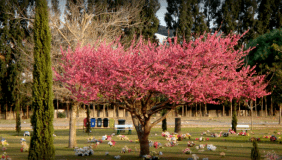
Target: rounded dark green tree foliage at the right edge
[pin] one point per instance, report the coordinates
(267, 57)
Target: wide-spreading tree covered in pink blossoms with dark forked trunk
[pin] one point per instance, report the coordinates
(204, 70)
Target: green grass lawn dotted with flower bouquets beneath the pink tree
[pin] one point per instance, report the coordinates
(235, 147)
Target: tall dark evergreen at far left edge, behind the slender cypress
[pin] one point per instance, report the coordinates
(12, 35)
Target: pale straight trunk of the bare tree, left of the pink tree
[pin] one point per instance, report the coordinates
(72, 125)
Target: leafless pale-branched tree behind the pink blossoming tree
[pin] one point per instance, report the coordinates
(85, 27)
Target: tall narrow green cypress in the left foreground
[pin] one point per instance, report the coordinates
(41, 145)
